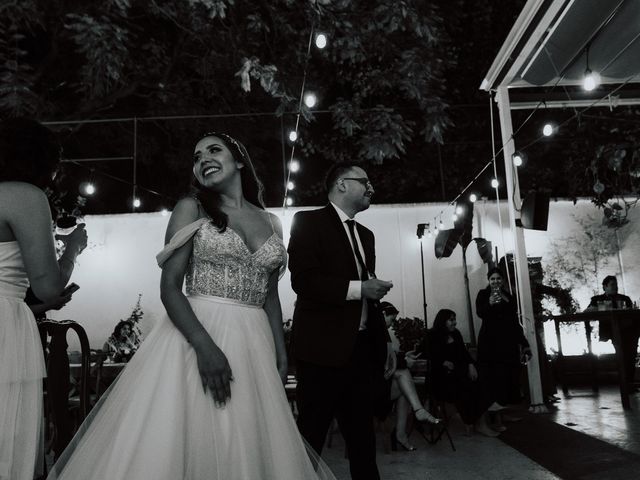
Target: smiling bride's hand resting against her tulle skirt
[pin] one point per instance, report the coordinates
(215, 372)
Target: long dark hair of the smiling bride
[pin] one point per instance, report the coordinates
(252, 187)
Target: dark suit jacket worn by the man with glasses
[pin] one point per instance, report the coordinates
(322, 263)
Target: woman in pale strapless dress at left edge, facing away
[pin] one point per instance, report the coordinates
(29, 156)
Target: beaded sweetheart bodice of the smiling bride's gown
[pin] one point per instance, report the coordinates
(223, 266)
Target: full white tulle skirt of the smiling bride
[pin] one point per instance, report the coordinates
(156, 422)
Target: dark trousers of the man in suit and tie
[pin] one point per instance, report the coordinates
(345, 393)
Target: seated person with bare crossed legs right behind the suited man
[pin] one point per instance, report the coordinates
(402, 388)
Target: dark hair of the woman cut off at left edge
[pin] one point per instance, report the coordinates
(29, 152)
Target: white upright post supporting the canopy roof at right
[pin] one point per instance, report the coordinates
(520, 253)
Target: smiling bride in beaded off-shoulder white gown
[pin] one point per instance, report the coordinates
(203, 397)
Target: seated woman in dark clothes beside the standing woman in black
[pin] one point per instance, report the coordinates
(454, 377)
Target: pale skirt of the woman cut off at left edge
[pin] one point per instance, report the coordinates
(21, 372)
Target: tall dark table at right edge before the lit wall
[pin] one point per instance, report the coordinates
(616, 317)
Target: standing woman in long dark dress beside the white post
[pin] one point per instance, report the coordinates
(502, 346)
